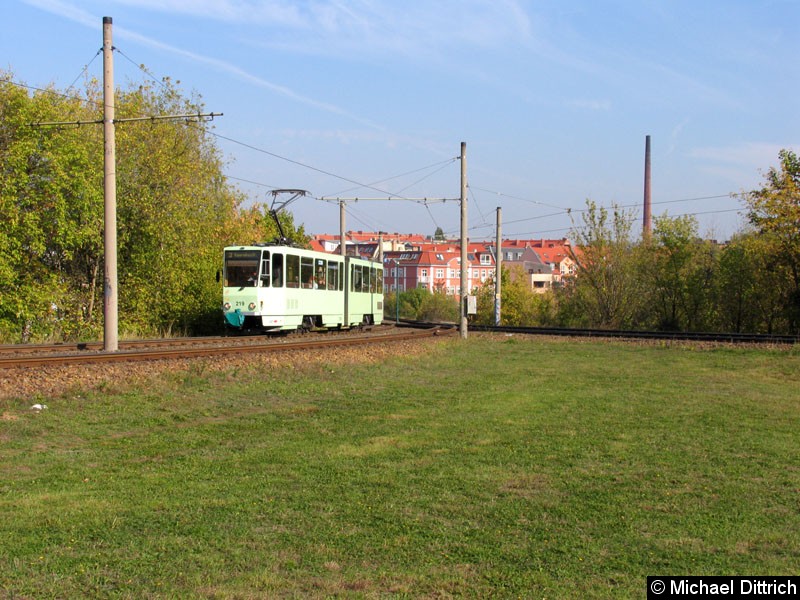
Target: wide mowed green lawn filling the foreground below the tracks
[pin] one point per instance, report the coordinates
(496, 467)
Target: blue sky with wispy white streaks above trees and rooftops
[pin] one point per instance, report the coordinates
(554, 99)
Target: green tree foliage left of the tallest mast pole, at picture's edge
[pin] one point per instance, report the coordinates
(49, 197)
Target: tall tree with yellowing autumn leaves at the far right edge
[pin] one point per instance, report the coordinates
(774, 211)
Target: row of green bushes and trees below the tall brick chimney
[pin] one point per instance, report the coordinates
(673, 281)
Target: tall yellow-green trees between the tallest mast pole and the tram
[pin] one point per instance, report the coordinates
(173, 204)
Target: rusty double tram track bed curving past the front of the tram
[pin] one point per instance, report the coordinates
(22, 355)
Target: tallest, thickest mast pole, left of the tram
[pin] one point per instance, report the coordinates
(110, 338)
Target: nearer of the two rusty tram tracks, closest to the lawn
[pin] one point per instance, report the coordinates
(195, 351)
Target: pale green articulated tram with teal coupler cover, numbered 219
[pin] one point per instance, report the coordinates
(273, 288)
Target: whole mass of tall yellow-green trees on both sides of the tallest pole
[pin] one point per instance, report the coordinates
(175, 213)
